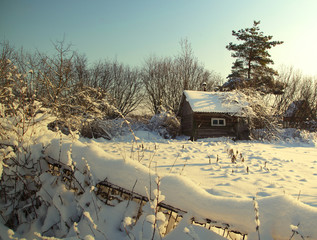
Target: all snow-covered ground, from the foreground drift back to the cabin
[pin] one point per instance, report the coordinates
(210, 178)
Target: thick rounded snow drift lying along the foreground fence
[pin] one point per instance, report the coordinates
(277, 214)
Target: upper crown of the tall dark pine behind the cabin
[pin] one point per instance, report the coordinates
(252, 56)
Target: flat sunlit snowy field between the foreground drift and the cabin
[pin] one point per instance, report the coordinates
(259, 169)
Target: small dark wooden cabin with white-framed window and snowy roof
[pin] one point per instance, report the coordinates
(212, 114)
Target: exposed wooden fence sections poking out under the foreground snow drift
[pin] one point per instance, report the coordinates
(111, 194)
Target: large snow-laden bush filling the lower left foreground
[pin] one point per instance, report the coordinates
(40, 195)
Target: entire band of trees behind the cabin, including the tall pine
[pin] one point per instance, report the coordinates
(67, 82)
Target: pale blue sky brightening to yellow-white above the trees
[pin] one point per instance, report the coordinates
(131, 30)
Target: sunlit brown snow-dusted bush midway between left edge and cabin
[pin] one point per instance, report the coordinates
(83, 111)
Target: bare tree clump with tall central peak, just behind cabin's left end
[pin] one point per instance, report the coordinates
(165, 79)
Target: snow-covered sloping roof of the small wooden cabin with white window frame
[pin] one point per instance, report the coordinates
(215, 102)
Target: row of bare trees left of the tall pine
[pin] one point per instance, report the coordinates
(59, 77)
